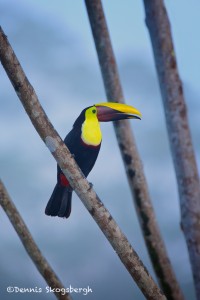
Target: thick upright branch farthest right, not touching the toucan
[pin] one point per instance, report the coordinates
(178, 129)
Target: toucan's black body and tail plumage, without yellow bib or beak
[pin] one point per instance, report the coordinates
(85, 156)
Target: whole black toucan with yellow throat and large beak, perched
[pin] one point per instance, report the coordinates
(84, 142)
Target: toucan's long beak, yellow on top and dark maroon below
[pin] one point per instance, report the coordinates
(109, 111)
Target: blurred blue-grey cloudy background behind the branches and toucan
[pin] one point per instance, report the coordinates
(53, 42)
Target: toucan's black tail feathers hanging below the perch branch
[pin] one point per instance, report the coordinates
(60, 202)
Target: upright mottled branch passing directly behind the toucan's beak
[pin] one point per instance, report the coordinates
(132, 163)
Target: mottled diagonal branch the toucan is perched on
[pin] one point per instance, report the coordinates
(81, 186)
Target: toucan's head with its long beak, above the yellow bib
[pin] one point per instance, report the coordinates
(108, 111)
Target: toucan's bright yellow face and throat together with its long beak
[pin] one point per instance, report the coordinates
(104, 112)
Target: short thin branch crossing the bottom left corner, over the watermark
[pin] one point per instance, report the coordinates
(29, 244)
